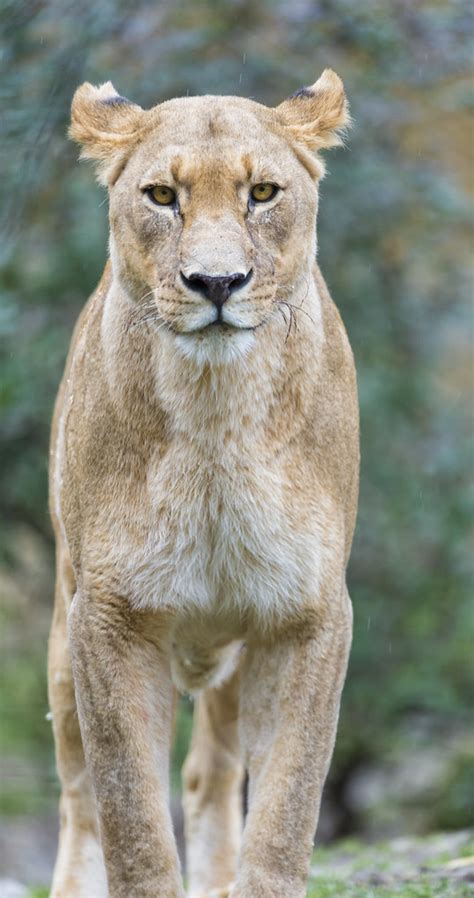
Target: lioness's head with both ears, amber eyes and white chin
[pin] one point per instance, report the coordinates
(213, 203)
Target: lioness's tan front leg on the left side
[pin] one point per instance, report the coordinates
(125, 704)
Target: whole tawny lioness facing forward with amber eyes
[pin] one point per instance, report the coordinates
(204, 476)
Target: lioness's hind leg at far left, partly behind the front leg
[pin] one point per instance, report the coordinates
(79, 871)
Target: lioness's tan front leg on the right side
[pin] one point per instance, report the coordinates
(290, 700)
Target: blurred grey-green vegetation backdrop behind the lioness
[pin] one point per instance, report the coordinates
(394, 232)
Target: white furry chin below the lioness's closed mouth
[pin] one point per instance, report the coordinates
(216, 345)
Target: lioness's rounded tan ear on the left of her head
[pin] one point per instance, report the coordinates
(107, 126)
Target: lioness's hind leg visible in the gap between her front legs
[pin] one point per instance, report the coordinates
(212, 779)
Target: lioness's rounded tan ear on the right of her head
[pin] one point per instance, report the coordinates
(315, 116)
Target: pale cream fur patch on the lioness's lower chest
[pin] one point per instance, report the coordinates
(219, 533)
